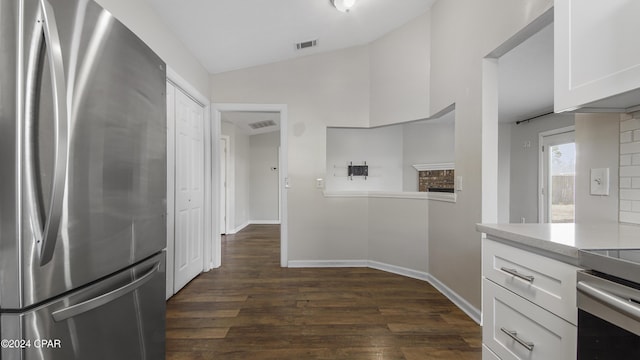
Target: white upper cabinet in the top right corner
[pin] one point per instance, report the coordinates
(597, 57)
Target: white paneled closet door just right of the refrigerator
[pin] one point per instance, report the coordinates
(189, 212)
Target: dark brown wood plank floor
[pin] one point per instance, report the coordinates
(251, 308)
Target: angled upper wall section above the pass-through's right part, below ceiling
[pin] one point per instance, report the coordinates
(399, 64)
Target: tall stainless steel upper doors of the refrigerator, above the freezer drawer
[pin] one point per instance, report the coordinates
(92, 152)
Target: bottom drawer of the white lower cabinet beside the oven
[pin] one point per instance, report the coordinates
(515, 328)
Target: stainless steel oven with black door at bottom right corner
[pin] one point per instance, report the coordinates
(608, 296)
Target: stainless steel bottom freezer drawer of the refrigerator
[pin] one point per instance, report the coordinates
(121, 317)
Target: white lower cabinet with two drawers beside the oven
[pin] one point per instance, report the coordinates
(527, 299)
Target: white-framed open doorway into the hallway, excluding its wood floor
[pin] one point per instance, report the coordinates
(251, 140)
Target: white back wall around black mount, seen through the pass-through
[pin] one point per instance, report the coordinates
(381, 148)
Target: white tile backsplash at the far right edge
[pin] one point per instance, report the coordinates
(630, 169)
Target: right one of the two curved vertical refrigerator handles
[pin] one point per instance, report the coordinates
(59, 92)
